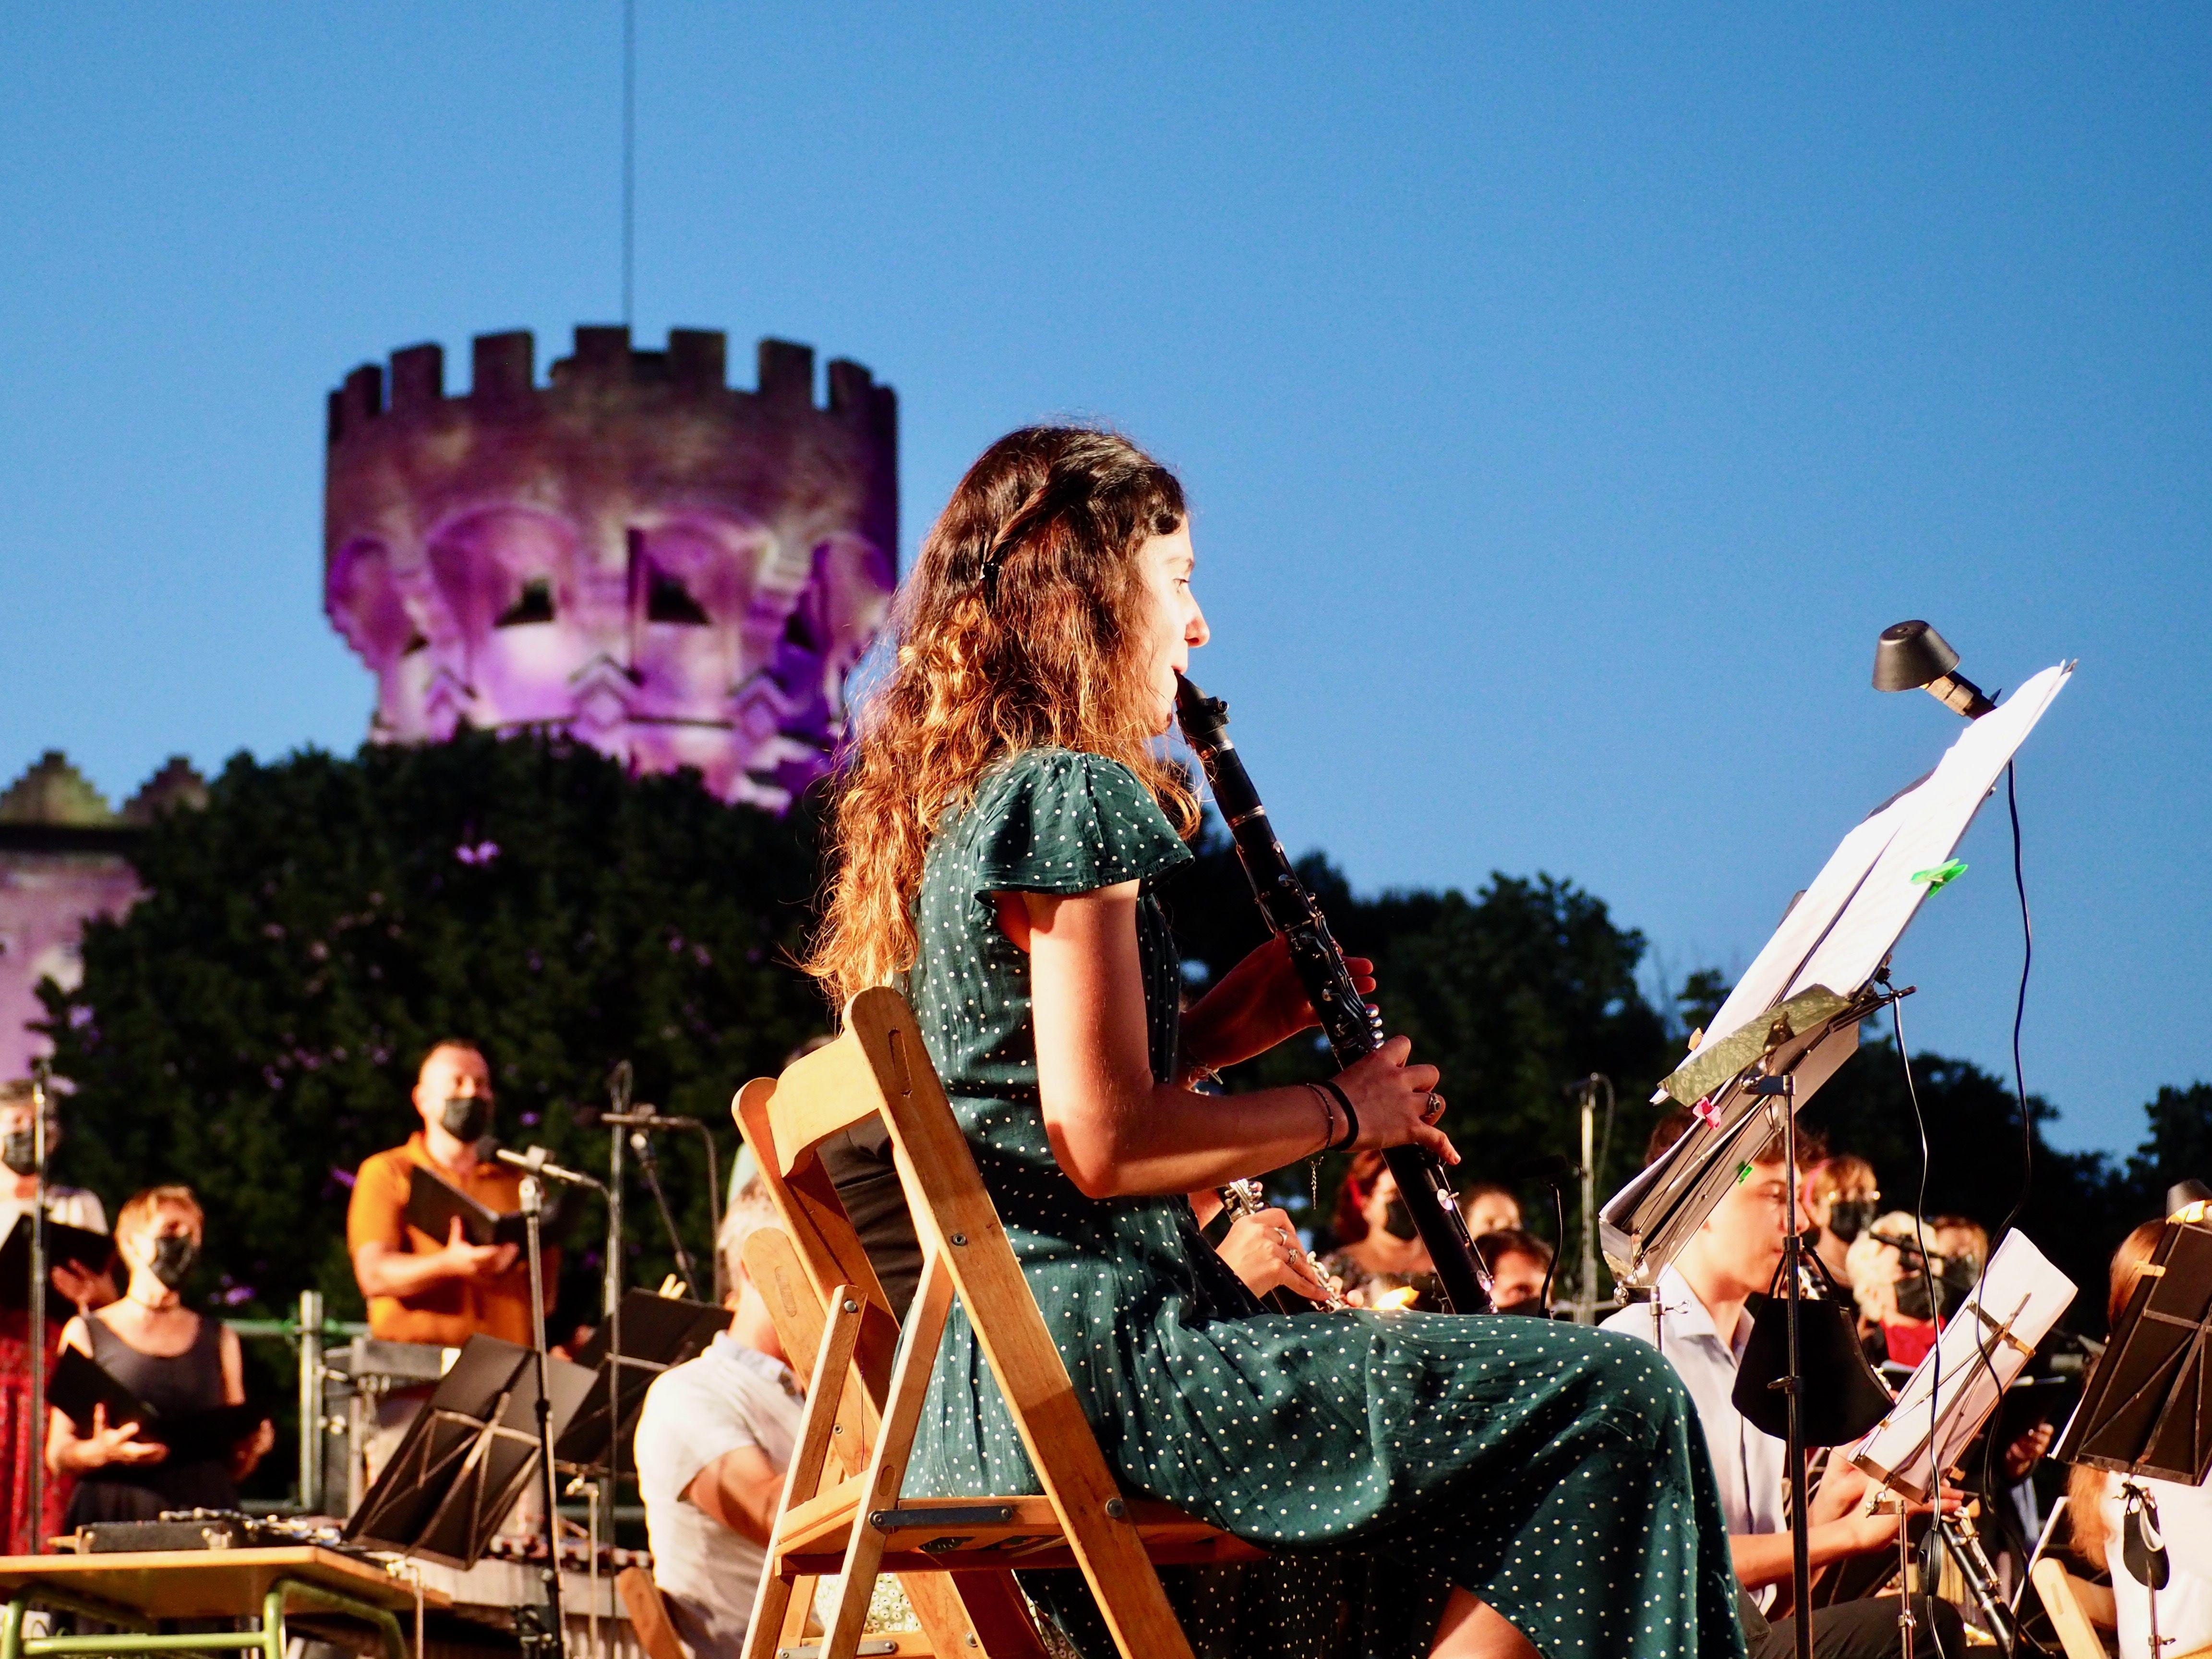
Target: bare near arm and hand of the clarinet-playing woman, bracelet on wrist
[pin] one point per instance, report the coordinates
(1114, 1127)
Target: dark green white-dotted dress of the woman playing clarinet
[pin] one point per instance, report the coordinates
(1384, 1459)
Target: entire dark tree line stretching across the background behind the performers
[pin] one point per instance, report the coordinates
(255, 1021)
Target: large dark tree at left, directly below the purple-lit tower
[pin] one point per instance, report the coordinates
(253, 1025)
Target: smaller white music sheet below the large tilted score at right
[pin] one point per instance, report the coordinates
(2023, 1295)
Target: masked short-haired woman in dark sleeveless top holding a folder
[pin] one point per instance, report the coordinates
(169, 1357)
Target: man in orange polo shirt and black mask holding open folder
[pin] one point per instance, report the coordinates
(421, 1288)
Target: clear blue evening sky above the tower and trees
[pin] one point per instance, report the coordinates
(1567, 395)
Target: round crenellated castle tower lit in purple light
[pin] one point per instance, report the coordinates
(636, 554)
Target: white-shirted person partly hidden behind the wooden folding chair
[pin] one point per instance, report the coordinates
(713, 1441)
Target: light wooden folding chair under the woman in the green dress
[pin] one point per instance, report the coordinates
(866, 1395)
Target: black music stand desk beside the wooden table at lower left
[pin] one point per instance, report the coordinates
(468, 1457)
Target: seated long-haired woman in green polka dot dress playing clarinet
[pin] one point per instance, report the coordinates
(1434, 1483)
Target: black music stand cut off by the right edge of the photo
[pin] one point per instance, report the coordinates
(2147, 1410)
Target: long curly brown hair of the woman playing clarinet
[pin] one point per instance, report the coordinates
(1016, 632)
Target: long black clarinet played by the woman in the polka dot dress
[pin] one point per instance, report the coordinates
(1353, 1027)
